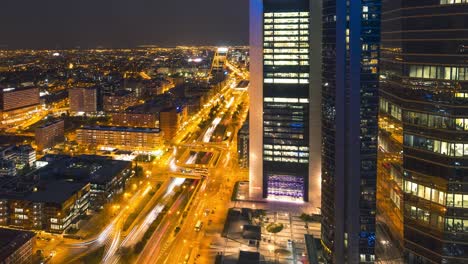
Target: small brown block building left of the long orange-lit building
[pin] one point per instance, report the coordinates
(50, 134)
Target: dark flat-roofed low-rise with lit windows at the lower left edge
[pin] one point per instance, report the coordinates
(50, 205)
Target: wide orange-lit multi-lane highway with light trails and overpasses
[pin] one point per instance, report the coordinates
(208, 141)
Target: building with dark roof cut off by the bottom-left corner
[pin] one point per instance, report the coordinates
(16, 247)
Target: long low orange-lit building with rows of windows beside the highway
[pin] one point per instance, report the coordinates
(125, 138)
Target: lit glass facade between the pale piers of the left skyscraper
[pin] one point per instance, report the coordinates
(285, 100)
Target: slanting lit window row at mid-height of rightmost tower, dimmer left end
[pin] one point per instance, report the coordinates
(437, 146)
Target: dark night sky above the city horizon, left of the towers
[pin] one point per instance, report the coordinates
(65, 24)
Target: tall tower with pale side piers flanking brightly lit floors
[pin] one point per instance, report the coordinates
(284, 102)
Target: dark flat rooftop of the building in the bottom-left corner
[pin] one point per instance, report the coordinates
(11, 240)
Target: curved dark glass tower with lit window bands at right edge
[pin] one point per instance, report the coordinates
(424, 94)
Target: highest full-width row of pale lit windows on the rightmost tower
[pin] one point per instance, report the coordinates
(438, 72)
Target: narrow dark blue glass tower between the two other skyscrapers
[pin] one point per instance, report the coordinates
(350, 53)
